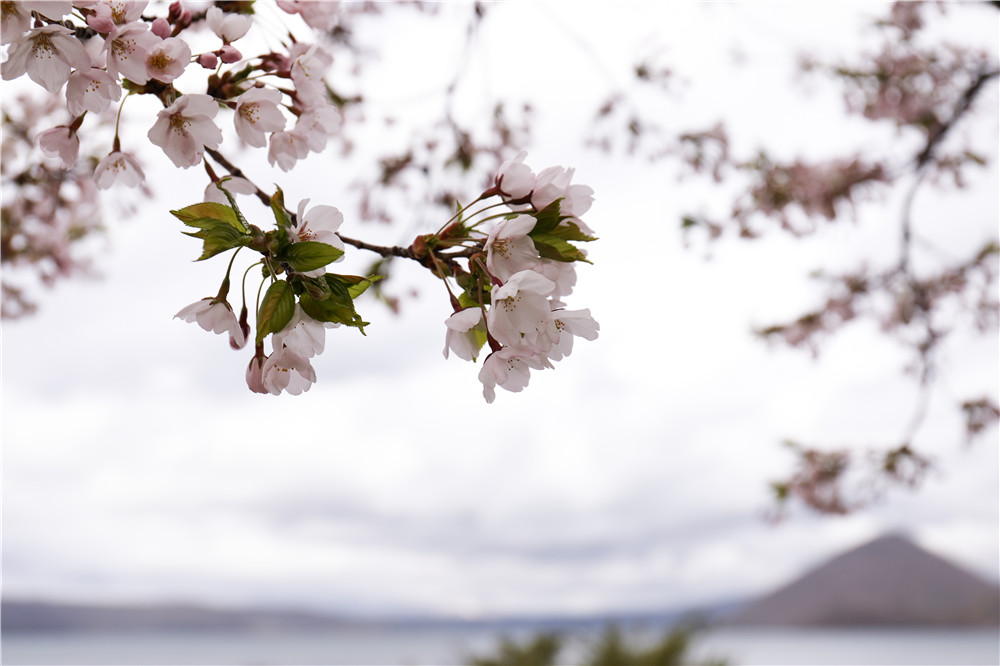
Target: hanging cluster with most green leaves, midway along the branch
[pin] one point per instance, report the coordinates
(301, 300)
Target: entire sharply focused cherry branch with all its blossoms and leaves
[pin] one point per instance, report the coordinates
(519, 264)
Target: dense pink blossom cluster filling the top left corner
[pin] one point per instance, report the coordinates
(119, 49)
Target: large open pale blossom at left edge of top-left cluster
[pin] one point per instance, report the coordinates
(47, 55)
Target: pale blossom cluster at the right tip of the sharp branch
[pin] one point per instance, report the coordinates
(513, 294)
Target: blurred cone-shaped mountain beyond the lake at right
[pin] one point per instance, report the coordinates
(887, 582)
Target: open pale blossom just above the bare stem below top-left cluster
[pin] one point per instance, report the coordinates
(185, 128)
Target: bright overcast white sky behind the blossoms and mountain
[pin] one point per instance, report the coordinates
(138, 467)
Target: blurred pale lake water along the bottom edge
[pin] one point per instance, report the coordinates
(453, 645)
